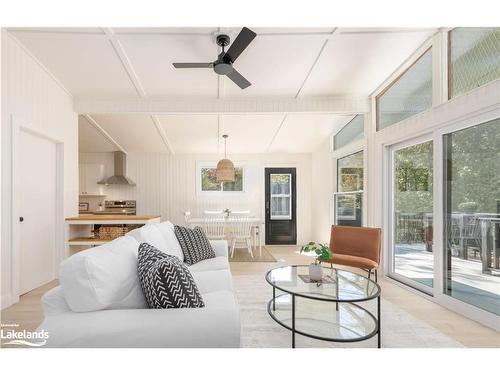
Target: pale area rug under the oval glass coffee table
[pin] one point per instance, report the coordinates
(259, 330)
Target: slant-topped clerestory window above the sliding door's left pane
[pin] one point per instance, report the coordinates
(408, 95)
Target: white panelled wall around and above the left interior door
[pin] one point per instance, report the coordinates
(33, 97)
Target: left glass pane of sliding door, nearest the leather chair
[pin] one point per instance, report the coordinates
(411, 250)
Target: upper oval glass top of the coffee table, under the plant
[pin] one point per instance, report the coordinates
(337, 285)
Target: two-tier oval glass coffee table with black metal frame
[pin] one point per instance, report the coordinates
(330, 310)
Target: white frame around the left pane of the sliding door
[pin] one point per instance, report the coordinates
(389, 268)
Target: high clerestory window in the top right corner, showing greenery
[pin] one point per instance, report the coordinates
(474, 58)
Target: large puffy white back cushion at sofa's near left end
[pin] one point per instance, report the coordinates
(104, 277)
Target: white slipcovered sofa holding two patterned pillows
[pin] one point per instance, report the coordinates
(99, 302)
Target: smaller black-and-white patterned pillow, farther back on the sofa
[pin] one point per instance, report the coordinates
(194, 244)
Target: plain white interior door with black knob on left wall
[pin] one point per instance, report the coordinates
(37, 209)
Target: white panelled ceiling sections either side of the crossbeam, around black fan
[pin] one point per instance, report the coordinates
(136, 63)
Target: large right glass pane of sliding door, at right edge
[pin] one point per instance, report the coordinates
(472, 215)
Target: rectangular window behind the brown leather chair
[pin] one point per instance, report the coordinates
(348, 199)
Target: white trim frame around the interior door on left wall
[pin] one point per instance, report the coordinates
(19, 126)
